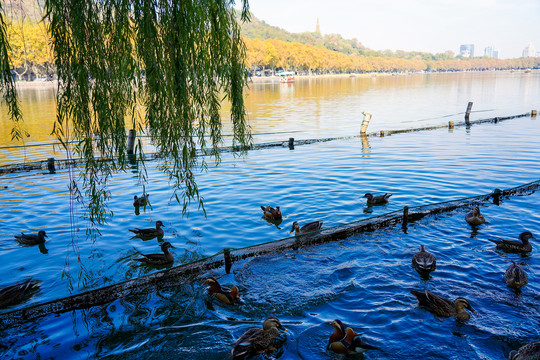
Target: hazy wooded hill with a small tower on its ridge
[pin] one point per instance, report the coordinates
(258, 29)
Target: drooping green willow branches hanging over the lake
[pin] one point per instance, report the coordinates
(179, 59)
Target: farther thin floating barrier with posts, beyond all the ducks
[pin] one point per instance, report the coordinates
(40, 165)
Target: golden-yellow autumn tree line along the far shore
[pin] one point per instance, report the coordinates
(32, 58)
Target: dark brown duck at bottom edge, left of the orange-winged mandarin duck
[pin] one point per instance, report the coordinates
(257, 340)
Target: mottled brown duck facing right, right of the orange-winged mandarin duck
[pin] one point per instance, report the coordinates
(441, 306)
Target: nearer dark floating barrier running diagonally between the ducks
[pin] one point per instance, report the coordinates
(188, 273)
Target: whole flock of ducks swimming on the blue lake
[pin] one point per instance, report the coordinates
(343, 340)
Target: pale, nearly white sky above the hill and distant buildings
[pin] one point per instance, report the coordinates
(414, 25)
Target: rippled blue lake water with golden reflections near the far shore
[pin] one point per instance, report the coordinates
(365, 280)
